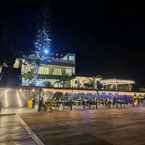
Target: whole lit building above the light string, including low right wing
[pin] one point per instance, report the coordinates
(60, 73)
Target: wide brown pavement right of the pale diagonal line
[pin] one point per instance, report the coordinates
(94, 127)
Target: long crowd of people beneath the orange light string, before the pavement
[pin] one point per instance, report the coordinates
(89, 101)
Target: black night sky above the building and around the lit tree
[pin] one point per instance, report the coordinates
(108, 36)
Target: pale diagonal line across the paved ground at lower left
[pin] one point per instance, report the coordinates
(36, 139)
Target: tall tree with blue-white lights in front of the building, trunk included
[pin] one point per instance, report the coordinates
(41, 48)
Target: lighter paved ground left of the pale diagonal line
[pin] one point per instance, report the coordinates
(12, 132)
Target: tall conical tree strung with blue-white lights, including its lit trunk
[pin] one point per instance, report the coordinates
(41, 45)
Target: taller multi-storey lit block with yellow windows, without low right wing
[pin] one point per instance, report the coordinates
(52, 72)
